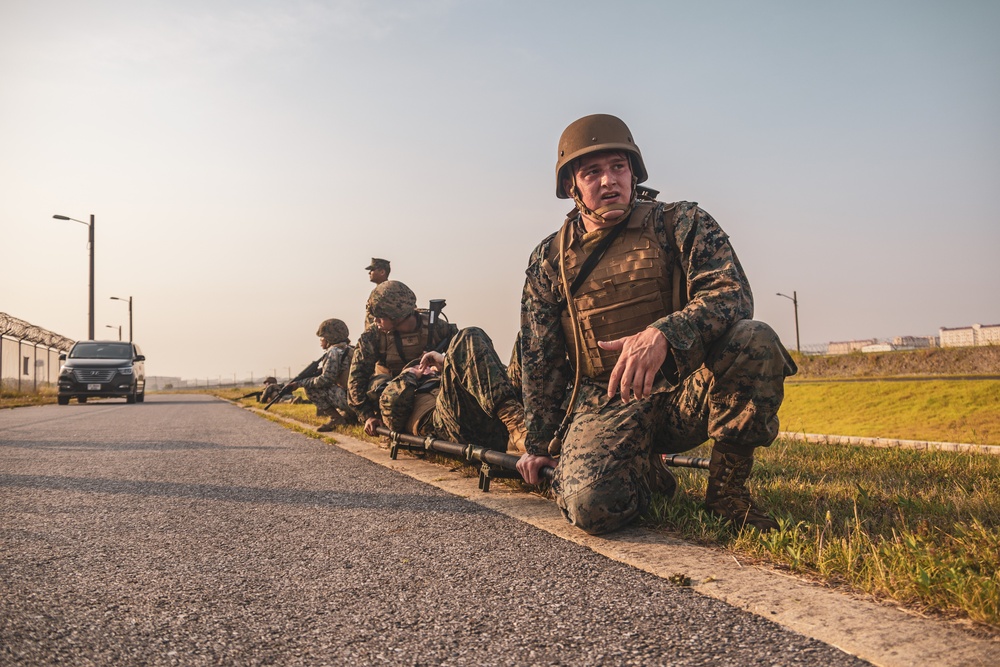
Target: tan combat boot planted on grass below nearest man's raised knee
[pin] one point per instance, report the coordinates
(727, 494)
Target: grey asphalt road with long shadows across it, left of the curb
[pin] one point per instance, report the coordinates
(186, 531)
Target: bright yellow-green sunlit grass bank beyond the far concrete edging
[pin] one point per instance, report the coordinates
(940, 411)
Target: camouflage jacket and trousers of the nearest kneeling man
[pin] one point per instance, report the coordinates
(723, 377)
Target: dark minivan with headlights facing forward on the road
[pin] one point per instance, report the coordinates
(102, 369)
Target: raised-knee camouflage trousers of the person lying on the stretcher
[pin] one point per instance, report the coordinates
(474, 385)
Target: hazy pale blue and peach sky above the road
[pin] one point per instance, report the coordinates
(245, 160)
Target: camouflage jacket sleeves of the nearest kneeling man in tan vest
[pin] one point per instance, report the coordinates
(718, 296)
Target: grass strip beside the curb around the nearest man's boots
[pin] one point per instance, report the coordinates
(919, 528)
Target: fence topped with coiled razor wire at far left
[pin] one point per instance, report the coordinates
(34, 361)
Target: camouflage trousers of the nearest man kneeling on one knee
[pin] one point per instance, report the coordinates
(601, 480)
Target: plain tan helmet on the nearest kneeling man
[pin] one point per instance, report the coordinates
(591, 134)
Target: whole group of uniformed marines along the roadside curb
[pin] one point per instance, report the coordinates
(636, 341)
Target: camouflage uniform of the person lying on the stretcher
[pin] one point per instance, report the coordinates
(474, 387)
